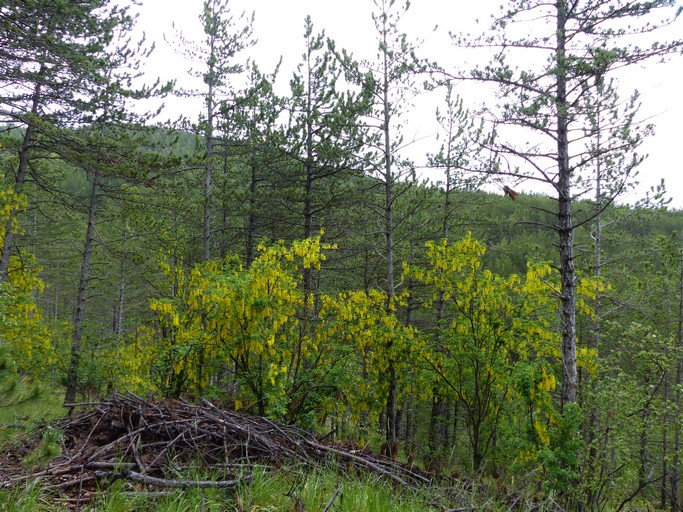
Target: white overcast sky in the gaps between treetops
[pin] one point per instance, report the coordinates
(279, 31)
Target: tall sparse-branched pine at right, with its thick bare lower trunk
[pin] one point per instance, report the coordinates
(543, 123)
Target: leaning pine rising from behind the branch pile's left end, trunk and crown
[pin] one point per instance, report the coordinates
(109, 146)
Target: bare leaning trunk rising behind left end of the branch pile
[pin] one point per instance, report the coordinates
(81, 298)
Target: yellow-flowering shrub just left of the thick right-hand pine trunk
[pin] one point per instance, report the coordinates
(495, 343)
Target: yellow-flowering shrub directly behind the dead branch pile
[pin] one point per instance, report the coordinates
(251, 331)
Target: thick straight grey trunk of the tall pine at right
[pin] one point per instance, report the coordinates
(565, 226)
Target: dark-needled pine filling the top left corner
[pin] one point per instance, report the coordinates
(52, 61)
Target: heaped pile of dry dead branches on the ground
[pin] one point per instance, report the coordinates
(154, 443)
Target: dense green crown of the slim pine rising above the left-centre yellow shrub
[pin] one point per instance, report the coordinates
(323, 136)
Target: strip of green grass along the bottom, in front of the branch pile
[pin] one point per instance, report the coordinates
(286, 489)
